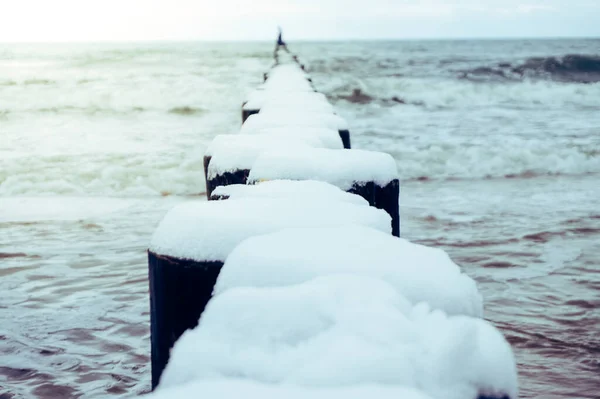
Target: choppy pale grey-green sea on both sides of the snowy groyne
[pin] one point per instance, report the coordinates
(497, 144)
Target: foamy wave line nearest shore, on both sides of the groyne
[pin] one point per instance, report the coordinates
(141, 174)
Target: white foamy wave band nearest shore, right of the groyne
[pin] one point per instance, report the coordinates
(503, 157)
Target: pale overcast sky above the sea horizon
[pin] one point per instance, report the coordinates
(133, 20)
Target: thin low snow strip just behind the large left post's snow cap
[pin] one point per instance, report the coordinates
(297, 190)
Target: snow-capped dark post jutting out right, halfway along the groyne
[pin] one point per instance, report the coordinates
(370, 174)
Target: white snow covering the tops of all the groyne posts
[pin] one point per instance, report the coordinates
(316, 299)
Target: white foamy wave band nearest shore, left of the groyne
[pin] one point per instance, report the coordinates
(127, 175)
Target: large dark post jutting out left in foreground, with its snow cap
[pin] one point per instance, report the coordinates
(194, 239)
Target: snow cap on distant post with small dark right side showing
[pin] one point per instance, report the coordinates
(291, 118)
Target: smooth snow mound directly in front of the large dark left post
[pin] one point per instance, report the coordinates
(293, 256)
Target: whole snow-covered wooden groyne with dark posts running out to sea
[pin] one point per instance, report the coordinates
(290, 204)
